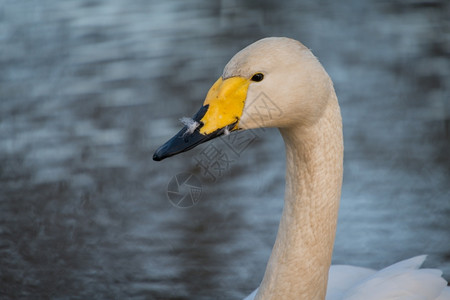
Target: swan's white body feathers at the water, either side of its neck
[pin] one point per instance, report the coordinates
(401, 281)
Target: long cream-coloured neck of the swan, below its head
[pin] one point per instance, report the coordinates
(301, 257)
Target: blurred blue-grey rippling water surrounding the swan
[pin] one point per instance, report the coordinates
(89, 89)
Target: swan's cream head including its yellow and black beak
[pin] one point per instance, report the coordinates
(274, 82)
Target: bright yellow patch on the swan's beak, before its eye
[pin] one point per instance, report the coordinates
(226, 100)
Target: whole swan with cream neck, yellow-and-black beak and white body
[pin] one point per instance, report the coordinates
(286, 72)
